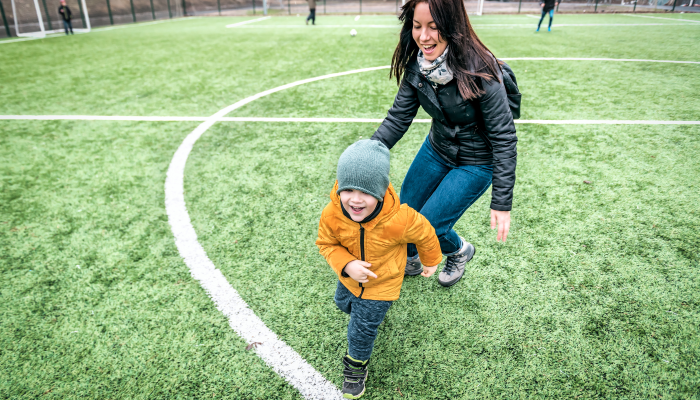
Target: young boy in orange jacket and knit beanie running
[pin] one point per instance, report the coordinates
(363, 235)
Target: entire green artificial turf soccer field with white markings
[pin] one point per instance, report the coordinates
(595, 295)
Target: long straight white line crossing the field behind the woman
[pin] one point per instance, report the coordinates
(325, 120)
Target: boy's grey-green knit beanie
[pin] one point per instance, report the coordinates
(364, 166)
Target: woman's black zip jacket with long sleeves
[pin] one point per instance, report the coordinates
(453, 133)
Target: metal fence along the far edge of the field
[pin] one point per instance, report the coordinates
(114, 12)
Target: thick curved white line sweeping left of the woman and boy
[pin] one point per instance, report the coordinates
(277, 354)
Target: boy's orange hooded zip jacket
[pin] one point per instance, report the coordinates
(384, 239)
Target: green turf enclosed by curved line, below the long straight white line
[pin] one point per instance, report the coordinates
(595, 294)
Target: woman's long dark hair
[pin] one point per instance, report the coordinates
(468, 57)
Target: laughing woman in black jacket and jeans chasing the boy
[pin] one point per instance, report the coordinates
(441, 65)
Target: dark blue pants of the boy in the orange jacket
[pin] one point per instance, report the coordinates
(365, 317)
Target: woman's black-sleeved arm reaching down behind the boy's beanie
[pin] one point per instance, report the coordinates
(399, 117)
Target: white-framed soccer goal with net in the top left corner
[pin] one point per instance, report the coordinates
(33, 18)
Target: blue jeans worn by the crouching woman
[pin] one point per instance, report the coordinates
(442, 192)
